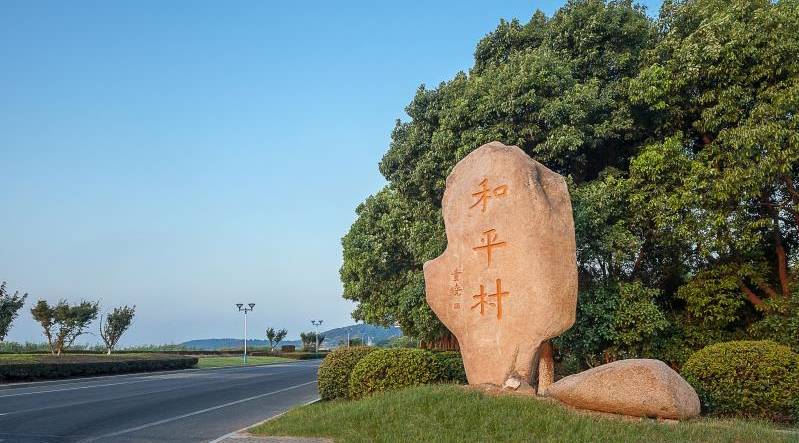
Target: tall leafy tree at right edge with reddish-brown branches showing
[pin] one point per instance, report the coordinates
(719, 178)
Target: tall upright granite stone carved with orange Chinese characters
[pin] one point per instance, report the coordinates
(508, 278)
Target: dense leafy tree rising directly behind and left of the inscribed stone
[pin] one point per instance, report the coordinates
(556, 87)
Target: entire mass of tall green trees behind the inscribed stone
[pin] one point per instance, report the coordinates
(680, 143)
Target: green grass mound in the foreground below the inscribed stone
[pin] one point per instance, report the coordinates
(454, 414)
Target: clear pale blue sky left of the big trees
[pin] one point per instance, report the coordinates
(184, 156)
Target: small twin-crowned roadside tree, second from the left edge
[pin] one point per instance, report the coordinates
(63, 323)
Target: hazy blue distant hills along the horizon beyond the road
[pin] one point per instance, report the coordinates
(332, 338)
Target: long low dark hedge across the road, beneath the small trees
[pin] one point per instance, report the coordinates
(31, 367)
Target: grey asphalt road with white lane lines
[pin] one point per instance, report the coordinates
(177, 406)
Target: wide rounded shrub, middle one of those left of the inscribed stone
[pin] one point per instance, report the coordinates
(389, 369)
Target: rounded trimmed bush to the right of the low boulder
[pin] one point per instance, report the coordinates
(746, 378)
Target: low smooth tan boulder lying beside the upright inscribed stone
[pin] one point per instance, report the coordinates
(637, 387)
